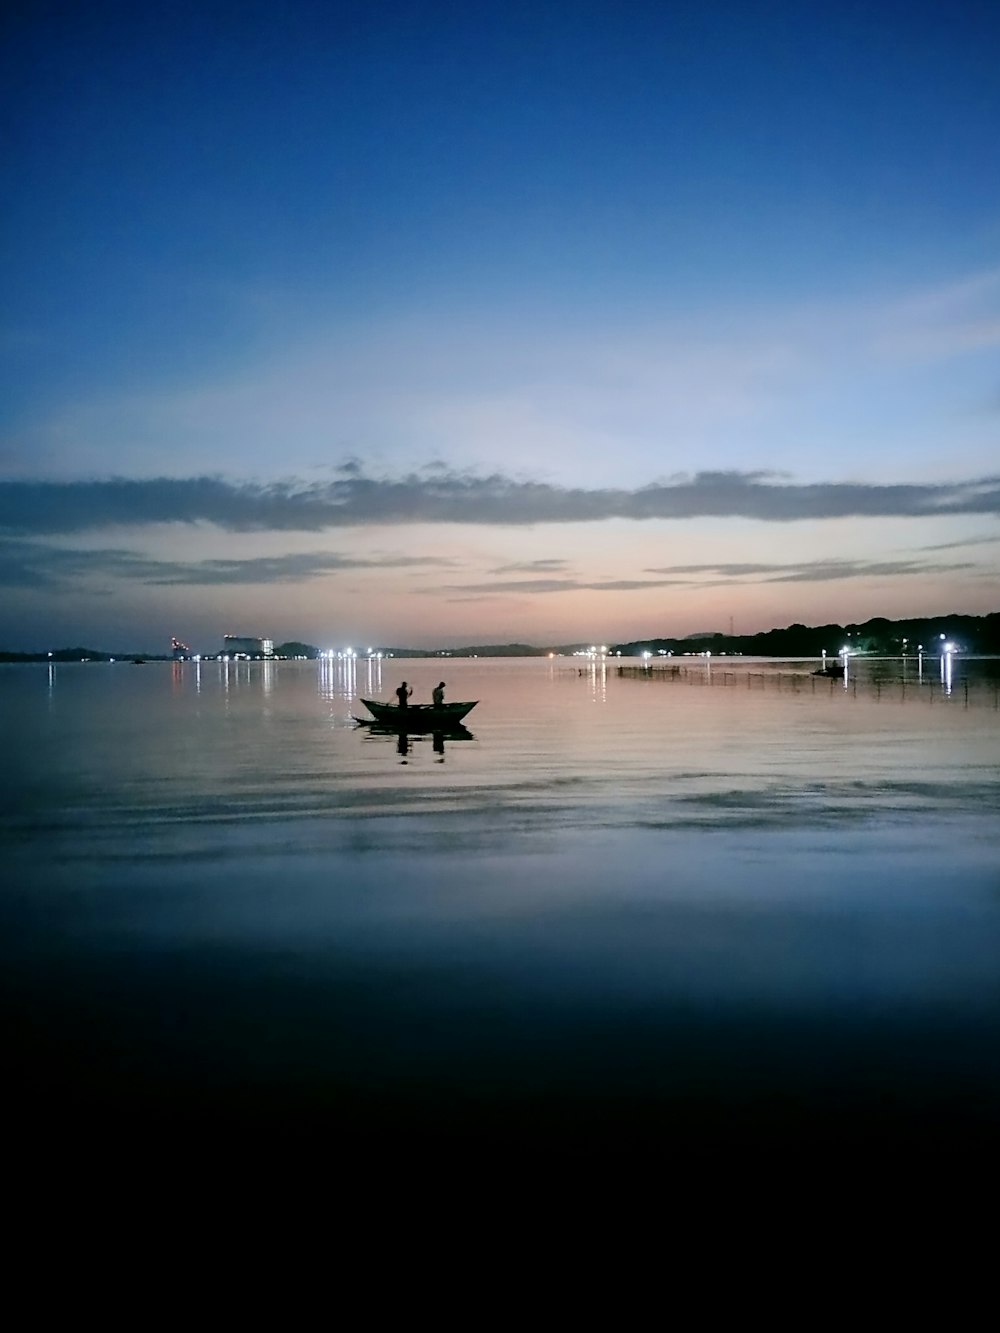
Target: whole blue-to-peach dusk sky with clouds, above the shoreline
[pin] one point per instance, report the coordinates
(427, 325)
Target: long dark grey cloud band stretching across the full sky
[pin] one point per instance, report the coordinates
(355, 499)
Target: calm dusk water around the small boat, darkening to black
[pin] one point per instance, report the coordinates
(739, 907)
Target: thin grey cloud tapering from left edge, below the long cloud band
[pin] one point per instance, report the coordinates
(29, 565)
